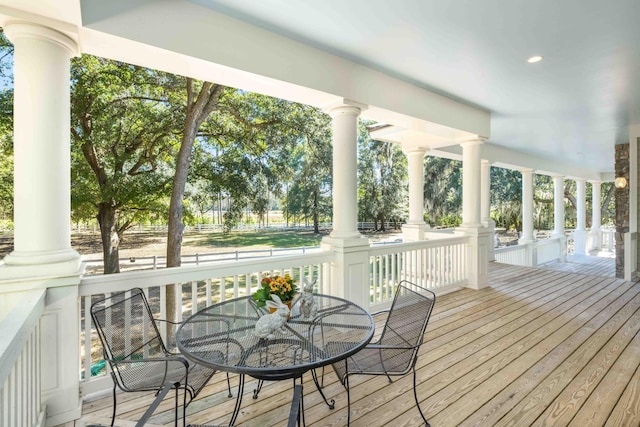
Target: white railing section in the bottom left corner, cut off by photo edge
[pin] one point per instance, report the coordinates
(20, 400)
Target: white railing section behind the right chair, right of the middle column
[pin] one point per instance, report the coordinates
(433, 264)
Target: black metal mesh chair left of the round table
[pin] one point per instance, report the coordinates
(137, 355)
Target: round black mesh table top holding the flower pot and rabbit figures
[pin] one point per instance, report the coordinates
(222, 337)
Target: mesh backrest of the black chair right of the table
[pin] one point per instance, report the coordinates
(406, 322)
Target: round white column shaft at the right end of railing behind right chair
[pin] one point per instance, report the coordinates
(471, 184)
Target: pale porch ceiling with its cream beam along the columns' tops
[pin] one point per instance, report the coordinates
(439, 71)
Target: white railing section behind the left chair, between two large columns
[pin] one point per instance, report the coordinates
(201, 286)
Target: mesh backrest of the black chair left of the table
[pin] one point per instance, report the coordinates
(126, 327)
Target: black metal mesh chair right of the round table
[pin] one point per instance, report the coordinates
(396, 351)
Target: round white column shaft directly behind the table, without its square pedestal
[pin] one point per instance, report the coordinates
(345, 171)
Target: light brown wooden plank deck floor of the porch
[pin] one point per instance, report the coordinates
(538, 347)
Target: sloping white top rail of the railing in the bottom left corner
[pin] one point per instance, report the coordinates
(15, 328)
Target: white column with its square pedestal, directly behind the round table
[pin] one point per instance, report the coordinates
(349, 272)
